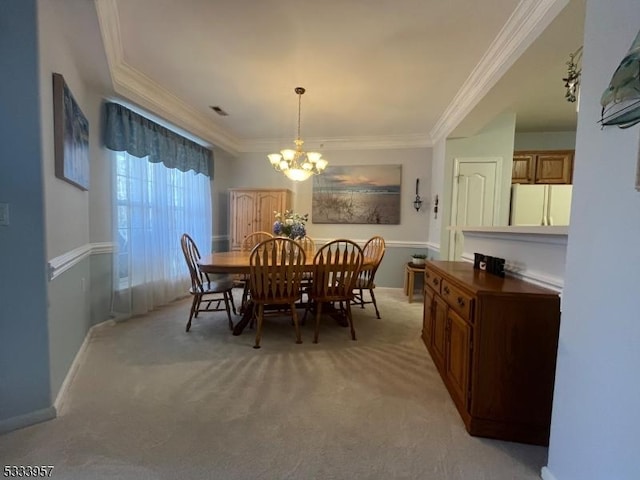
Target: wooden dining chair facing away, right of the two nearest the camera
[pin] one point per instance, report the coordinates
(335, 270)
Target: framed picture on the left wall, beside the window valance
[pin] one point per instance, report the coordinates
(71, 136)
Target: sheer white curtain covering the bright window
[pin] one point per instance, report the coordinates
(153, 206)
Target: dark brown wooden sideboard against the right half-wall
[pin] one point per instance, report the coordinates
(494, 341)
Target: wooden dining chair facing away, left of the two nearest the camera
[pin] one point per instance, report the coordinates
(276, 266)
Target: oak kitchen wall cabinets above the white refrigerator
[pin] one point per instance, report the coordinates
(552, 166)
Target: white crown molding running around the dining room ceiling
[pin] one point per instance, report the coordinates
(529, 19)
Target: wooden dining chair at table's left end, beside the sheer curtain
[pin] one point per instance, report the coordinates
(208, 295)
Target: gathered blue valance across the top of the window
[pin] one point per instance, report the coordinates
(128, 131)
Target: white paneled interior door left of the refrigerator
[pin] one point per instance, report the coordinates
(475, 195)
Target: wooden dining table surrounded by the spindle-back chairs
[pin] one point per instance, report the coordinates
(237, 262)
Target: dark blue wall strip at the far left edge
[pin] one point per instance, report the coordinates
(24, 353)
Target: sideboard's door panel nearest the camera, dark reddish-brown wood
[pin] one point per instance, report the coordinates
(458, 356)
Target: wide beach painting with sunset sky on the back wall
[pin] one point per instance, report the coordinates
(364, 194)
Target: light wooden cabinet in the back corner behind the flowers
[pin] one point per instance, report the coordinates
(251, 210)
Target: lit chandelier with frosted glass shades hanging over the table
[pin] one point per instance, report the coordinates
(297, 164)
